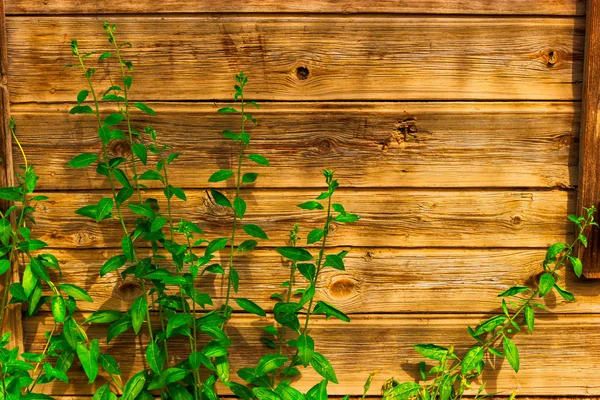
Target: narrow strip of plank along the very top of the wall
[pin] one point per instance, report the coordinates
(504, 7)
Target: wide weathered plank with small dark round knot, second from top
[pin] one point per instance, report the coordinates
(313, 58)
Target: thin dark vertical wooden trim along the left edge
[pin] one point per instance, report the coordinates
(12, 321)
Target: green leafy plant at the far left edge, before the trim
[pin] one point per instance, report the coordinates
(20, 376)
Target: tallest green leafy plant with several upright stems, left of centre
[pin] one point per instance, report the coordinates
(179, 255)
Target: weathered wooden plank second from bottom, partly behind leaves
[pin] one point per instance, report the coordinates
(375, 280)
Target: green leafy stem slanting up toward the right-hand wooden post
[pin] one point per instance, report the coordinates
(452, 376)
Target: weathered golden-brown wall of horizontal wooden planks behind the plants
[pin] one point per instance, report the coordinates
(451, 216)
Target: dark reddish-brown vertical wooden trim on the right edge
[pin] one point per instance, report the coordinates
(589, 145)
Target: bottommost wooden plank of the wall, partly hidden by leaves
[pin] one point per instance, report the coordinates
(384, 343)
